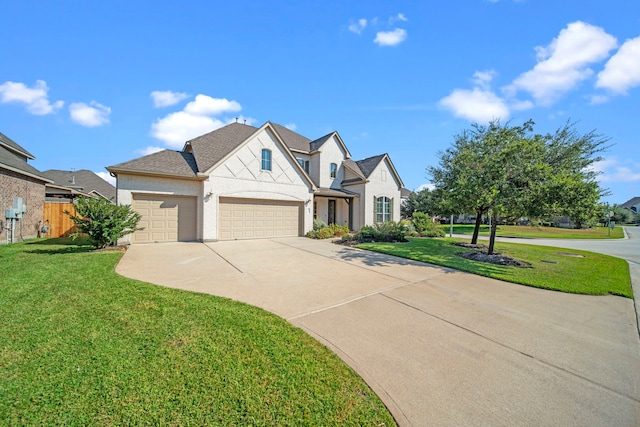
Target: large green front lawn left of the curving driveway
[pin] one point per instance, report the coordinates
(80, 345)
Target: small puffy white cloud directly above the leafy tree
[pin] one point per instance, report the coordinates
(477, 105)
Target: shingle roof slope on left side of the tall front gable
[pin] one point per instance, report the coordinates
(212, 147)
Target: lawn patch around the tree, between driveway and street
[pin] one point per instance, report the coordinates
(595, 274)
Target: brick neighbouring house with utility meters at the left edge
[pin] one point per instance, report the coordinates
(20, 179)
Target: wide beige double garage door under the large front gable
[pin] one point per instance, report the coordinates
(254, 219)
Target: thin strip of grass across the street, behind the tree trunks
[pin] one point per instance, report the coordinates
(526, 231)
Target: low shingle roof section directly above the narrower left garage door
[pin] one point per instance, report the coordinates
(165, 162)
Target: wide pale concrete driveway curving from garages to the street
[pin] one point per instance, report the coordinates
(439, 347)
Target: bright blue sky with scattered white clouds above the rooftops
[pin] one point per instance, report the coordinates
(84, 85)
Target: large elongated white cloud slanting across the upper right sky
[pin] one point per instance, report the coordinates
(564, 63)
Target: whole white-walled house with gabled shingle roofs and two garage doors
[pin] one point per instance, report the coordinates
(243, 182)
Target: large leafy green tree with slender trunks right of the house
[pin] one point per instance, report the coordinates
(512, 172)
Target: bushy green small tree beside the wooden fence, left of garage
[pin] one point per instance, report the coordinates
(103, 221)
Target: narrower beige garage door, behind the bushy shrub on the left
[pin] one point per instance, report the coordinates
(165, 218)
